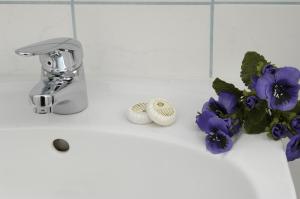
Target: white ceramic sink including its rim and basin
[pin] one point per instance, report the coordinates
(111, 158)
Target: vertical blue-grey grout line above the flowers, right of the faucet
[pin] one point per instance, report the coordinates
(211, 38)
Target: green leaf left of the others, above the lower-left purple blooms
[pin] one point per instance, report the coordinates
(222, 86)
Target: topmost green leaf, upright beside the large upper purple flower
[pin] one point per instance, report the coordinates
(252, 65)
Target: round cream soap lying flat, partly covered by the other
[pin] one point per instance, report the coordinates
(137, 114)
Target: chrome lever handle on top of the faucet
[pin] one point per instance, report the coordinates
(56, 55)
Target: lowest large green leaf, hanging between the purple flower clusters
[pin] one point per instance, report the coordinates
(257, 119)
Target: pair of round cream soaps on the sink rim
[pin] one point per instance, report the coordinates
(158, 110)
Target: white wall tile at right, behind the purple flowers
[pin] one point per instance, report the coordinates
(272, 30)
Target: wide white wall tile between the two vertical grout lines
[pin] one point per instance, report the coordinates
(149, 41)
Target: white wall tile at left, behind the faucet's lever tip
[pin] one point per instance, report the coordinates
(25, 24)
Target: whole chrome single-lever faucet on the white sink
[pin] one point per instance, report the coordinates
(62, 88)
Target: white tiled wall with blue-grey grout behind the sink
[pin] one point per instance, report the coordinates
(155, 38)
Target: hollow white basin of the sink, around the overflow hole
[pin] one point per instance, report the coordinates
(112, 166)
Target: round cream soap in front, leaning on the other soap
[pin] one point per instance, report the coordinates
(161, 112)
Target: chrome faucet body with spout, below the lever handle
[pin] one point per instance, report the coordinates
(62, 94)
